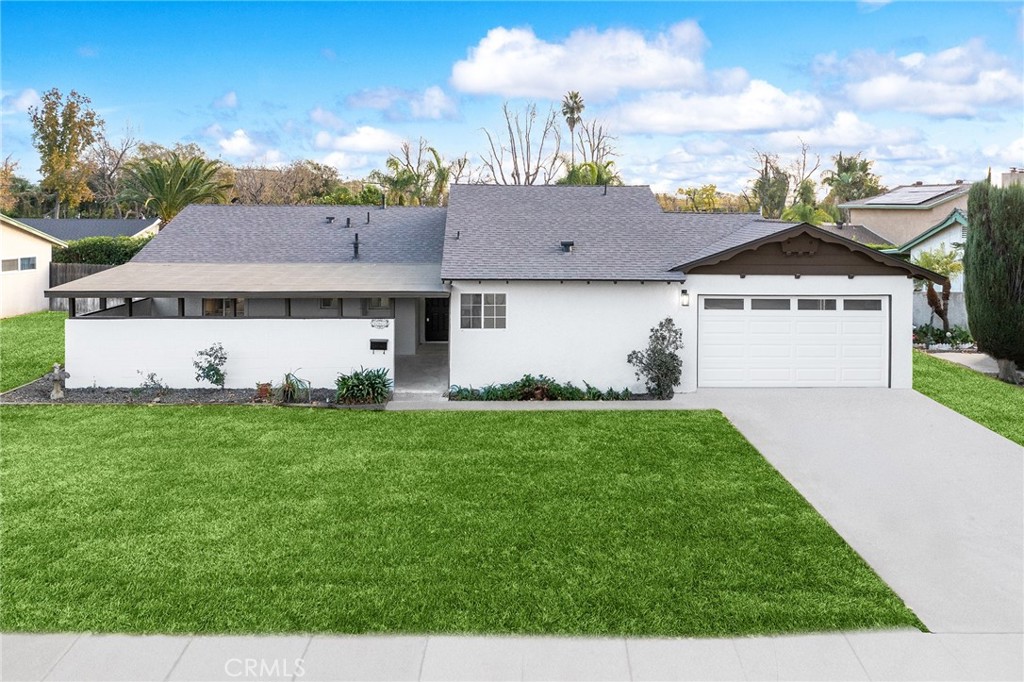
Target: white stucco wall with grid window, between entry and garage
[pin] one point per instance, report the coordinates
(571, 332)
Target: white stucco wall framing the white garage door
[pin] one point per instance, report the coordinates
(900, 289)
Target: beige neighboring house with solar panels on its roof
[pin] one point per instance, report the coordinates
(906, 212)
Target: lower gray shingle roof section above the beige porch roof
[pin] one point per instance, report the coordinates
(298, 235)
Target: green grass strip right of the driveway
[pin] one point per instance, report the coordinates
(991, 403)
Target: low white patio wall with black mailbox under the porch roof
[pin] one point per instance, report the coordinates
(112, 352)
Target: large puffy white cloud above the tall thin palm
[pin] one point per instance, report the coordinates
(516, 63)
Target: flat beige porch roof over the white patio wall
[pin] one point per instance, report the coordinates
(261, 280)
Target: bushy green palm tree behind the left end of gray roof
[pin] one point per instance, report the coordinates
(172, 184)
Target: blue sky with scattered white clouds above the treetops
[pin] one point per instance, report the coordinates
(931, 92)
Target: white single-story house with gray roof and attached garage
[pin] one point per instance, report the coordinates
(560, 281)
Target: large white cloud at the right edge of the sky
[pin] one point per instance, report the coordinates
(957, 82)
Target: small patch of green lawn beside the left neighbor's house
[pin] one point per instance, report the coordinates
(29, 348)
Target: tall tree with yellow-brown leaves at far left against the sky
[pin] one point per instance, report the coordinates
(62, 131)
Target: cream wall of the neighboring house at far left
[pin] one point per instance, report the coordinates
(22, 291)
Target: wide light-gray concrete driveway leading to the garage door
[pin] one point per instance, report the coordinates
(933, 501)
